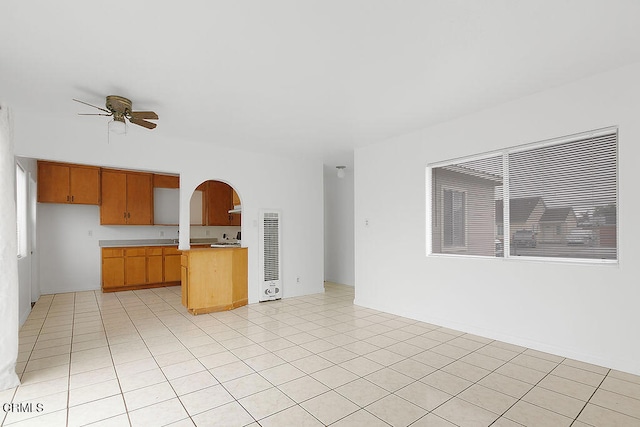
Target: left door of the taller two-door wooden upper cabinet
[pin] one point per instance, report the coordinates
(113, 210)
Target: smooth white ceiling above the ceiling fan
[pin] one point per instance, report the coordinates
(299, 76)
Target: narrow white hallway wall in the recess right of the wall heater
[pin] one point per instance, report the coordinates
(338, 227)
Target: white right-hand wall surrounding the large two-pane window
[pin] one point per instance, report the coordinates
(587, 312)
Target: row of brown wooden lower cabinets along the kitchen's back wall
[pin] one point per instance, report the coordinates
(140, 267)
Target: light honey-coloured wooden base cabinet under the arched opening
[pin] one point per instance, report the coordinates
(214, 279)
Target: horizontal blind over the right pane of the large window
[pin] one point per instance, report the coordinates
(563, 199)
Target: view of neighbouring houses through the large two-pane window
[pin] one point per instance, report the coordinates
(555, 199)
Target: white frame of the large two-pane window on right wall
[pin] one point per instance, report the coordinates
(504, 153)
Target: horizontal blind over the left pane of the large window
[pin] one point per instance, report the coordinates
(464, 198)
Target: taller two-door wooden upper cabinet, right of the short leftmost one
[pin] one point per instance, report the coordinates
(127, 198)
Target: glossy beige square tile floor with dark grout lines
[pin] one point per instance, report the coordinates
(138, 358)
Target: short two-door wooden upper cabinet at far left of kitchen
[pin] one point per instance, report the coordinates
(66, 183)
